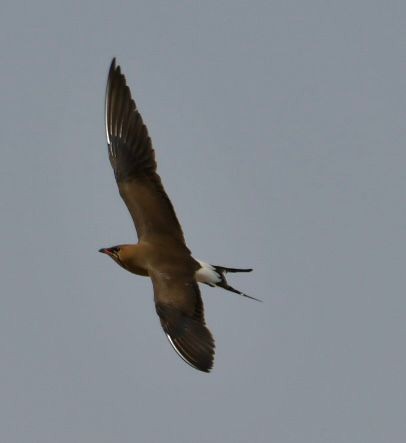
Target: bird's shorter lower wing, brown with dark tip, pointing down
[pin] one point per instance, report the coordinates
(180, 310)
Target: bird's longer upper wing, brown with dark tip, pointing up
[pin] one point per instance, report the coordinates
(133, 160)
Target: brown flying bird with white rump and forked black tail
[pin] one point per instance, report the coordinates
(161, 252)
